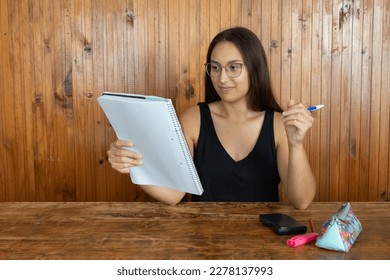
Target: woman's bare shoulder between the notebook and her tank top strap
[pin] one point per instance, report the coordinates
(190, 121)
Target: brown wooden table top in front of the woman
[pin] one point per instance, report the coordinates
(103, 230)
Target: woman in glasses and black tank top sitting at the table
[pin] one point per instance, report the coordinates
(242, 143)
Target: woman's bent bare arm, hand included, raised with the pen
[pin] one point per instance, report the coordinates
(293, 164)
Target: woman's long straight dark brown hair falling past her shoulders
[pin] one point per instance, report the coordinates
(261, 96)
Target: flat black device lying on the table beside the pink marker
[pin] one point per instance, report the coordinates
(282, 223)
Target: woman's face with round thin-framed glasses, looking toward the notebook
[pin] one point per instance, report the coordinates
(229, 89)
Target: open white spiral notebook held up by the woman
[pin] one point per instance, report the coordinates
(151, 123)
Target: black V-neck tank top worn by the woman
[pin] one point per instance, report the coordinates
(252, 179)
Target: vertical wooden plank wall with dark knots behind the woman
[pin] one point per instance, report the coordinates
(57, 57)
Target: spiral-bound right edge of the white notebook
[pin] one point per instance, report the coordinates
(184, 146)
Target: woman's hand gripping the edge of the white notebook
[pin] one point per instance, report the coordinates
(122, 159)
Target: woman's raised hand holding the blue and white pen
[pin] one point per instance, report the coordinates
(297, 121)
